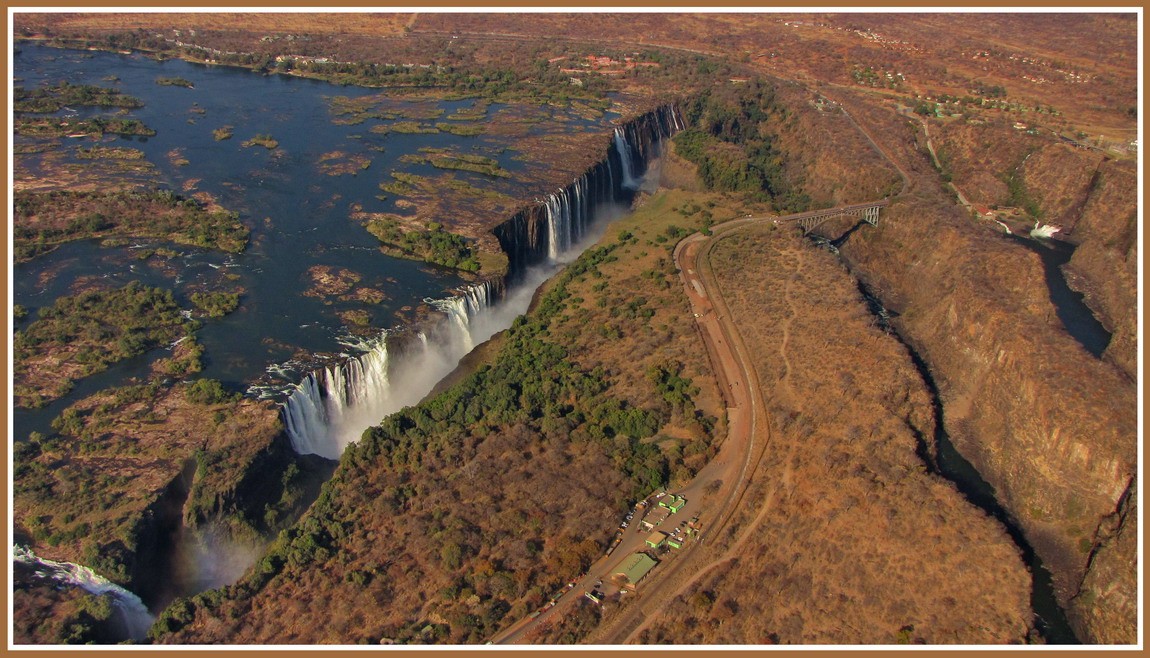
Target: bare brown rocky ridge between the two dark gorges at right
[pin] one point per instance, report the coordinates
(1051, 427)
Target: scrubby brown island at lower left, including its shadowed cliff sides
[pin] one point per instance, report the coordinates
(128, 466)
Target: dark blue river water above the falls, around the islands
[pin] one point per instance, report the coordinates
(300, 217)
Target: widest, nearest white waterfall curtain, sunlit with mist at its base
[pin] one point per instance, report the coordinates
(333, 407)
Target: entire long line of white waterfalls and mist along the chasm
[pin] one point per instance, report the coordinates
(333, 407)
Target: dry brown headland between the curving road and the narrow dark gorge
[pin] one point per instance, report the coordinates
(847, 538)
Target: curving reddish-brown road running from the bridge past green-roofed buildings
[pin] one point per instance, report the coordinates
(715, 495)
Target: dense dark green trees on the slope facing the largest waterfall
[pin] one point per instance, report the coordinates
(535, 384)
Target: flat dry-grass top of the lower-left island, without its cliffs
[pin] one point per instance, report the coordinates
(129, 448)
